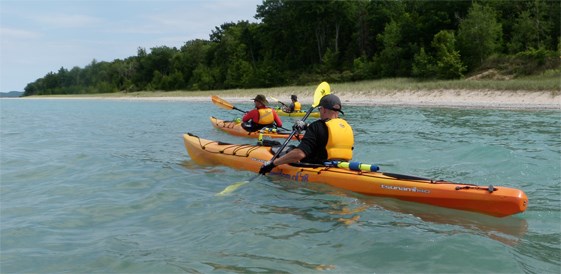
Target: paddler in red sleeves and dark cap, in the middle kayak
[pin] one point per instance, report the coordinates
(261, 116)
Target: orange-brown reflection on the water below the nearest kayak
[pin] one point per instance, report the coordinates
(508, 230)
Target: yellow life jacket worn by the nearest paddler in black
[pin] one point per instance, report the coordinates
(340, 140)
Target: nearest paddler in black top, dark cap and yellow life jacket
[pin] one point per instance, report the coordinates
(327, 139)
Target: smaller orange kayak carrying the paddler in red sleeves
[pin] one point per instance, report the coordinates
(235, 128)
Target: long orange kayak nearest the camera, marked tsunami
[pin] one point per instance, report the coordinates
(496, 201)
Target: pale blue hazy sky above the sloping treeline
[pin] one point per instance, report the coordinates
(41, 36)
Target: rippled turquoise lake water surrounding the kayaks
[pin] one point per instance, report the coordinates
(106, 186)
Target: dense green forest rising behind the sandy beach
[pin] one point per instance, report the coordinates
(303, 42)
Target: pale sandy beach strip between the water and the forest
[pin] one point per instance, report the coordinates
(486, 99)
